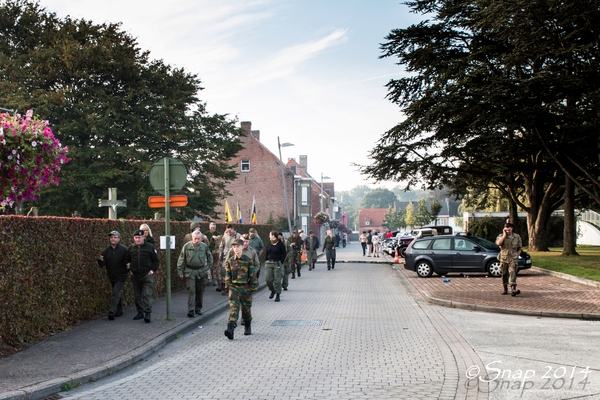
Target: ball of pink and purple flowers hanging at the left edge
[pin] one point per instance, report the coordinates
(30, 158)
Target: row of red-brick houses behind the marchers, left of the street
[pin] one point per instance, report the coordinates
(259, 176)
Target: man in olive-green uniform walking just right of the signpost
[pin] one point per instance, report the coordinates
(194, 263)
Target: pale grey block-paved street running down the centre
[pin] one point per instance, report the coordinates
(353, 332)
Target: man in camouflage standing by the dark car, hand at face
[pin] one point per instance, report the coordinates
(510, 248)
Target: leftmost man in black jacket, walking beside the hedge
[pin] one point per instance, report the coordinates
(113, 259)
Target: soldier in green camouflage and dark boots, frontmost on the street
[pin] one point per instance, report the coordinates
(241, 281)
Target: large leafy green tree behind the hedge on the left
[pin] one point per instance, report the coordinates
(116, 110)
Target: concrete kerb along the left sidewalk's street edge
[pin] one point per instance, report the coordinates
(54, 386)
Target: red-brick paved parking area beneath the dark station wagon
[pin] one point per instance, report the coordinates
(539, 293)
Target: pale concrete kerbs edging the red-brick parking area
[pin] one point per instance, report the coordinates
(503, 310)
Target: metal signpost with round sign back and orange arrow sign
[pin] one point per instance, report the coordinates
(166, 175)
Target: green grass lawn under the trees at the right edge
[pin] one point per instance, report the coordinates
(586, 265)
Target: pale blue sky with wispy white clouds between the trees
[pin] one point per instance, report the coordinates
(304, 70)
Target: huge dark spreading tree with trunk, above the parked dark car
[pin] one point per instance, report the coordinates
(497, 94)
